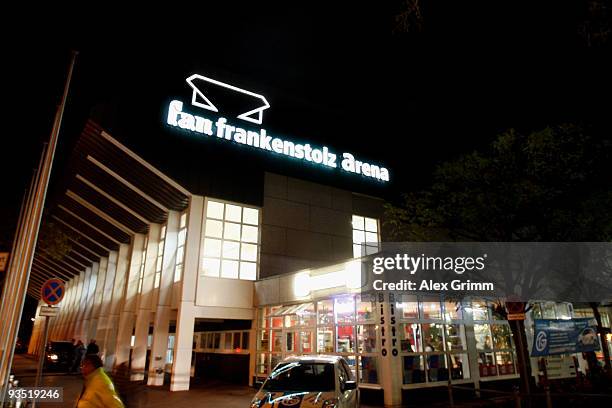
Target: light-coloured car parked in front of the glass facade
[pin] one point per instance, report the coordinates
(309, 381)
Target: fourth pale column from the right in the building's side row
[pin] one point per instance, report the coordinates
(128, 310)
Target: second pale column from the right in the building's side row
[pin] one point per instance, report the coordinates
(164, 300)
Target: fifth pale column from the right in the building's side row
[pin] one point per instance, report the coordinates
(110, 338)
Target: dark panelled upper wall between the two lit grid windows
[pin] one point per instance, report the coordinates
(307, 225)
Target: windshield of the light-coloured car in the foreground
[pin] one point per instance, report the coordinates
(299, 376)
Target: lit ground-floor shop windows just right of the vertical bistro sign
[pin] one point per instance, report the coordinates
(435, 352)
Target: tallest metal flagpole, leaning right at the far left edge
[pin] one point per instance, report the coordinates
(22, 272)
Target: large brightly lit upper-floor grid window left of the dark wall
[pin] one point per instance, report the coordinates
(230, 241)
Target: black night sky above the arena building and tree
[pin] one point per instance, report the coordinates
(333, 74)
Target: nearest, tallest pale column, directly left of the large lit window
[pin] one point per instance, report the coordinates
(185, 318)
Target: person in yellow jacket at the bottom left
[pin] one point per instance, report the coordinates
(98, 390)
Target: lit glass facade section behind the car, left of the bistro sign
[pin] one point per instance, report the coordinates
(344, 325)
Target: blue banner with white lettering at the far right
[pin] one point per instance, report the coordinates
(552, 337)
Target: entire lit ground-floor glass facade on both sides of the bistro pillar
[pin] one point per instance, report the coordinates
(438, 338)
